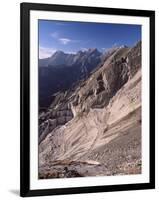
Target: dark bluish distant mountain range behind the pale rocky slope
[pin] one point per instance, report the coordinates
(62, 70)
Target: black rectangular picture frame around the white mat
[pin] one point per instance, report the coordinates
(25, 9)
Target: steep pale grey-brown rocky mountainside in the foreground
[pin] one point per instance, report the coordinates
(95, 128)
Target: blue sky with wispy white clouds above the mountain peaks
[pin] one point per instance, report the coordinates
(74, 36)
